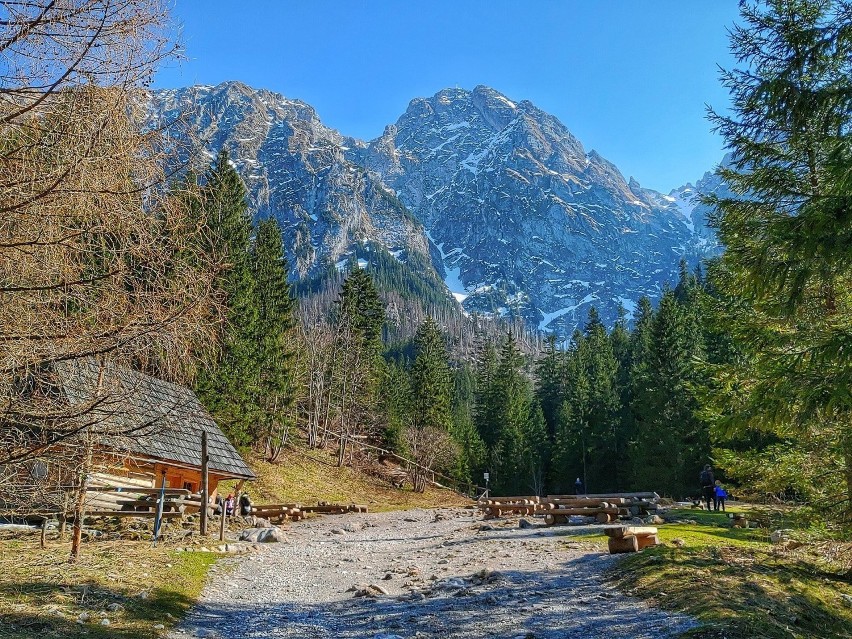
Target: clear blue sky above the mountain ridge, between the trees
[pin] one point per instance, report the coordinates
(629, 78)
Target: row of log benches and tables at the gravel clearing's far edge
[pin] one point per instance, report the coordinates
(604, 508)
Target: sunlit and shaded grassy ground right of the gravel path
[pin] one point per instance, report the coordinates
(739, 585)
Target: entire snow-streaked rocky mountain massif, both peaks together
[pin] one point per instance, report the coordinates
(499, 197)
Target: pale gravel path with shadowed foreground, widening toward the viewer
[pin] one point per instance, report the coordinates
(420, 573)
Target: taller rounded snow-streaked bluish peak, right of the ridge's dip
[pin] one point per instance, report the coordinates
(525, 219)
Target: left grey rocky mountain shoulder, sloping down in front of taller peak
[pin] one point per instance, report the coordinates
(296, 170)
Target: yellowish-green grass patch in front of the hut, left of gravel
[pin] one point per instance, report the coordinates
(43, 595)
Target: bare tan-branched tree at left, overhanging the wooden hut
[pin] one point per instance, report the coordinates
(97, 260)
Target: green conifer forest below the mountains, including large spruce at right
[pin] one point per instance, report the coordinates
(742, 363)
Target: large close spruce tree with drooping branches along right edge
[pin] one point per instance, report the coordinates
(786, 270)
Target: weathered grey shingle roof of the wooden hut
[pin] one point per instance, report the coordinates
(146, 416)
